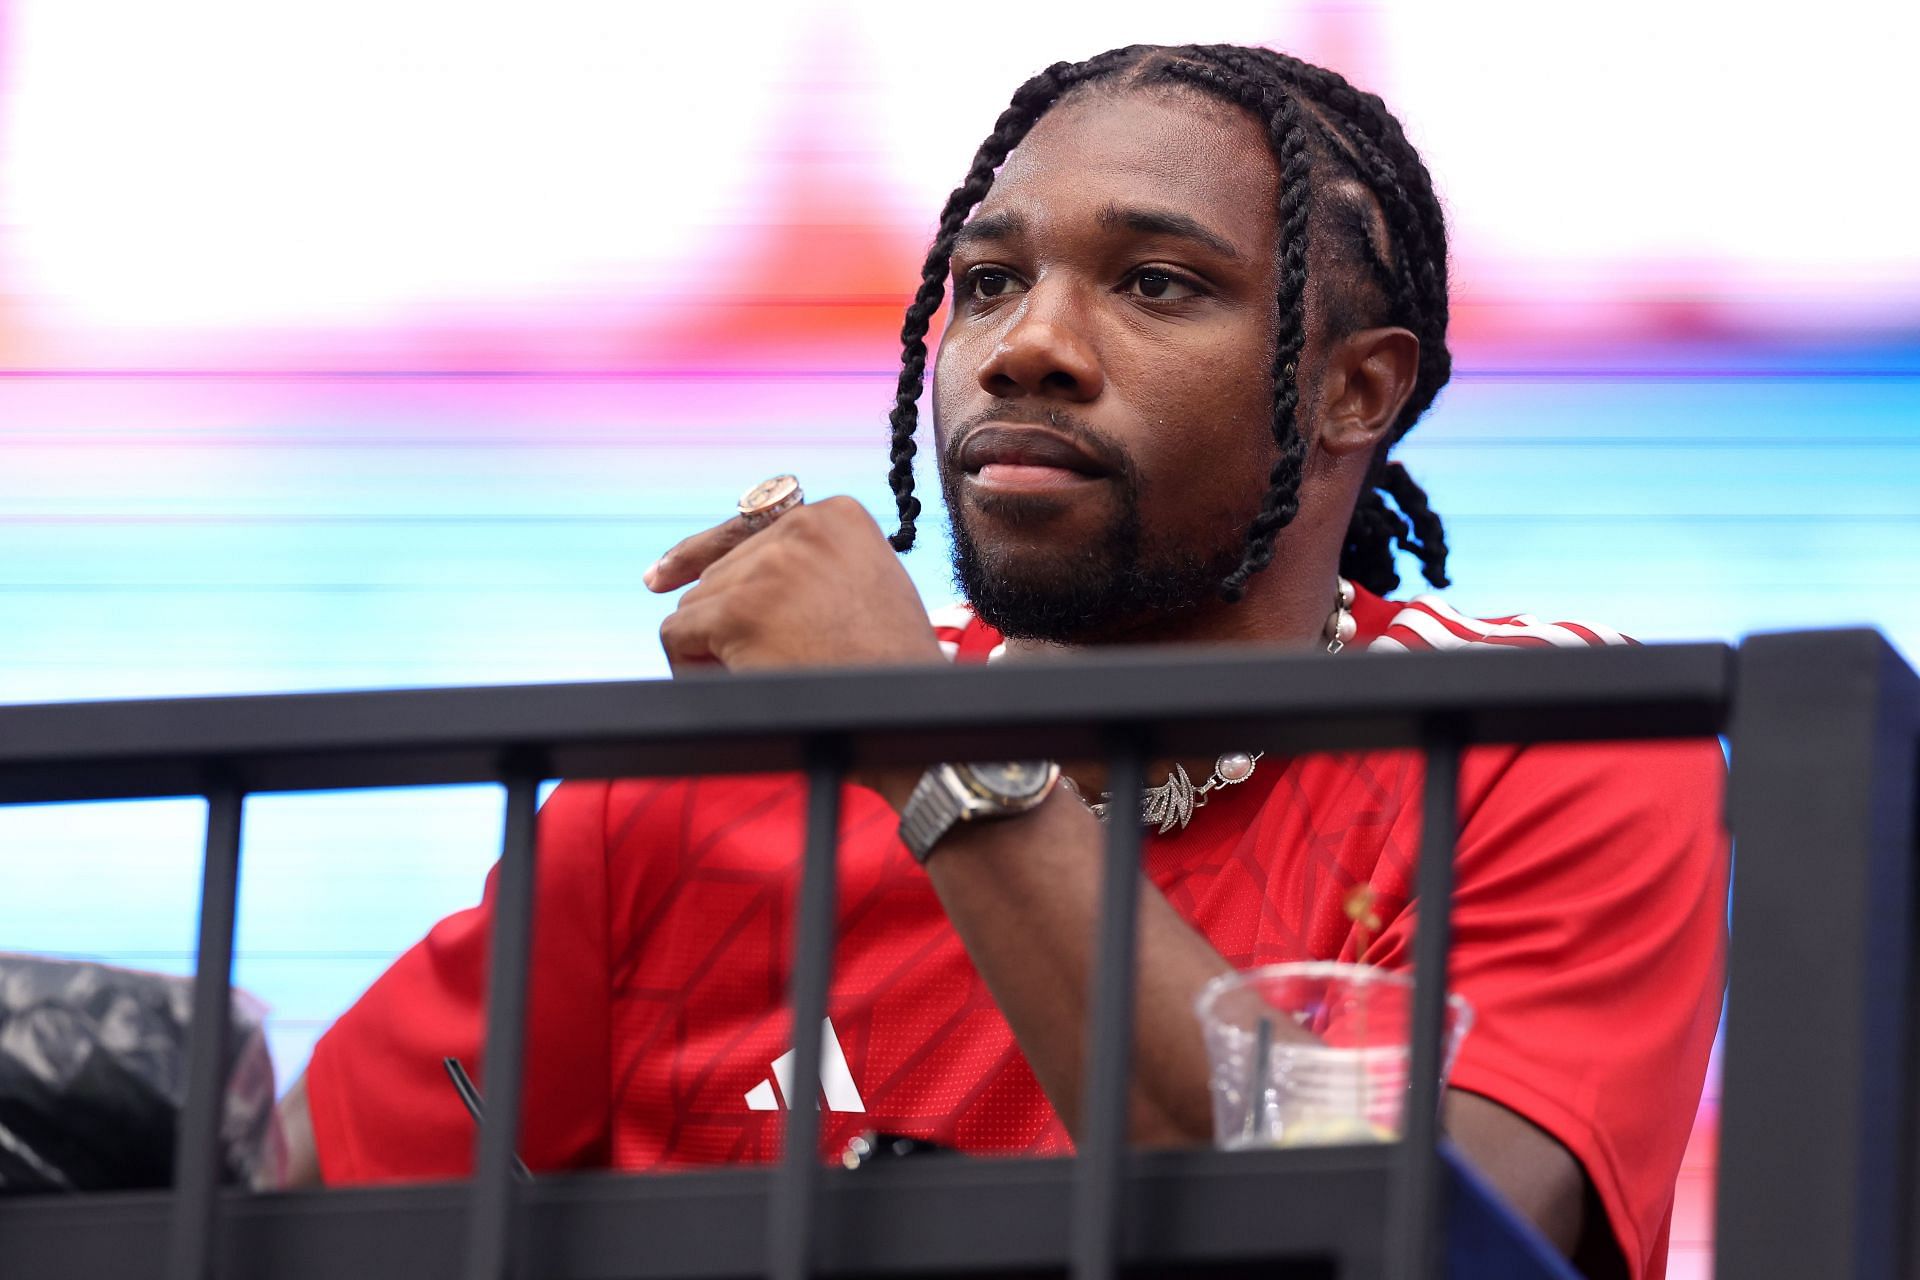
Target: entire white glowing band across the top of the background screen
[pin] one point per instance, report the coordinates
(245, 164)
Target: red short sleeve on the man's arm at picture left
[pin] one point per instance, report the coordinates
(379, 1093)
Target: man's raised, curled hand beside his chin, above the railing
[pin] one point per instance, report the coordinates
(815, 588)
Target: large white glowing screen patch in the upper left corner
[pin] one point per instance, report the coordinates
(233, 162)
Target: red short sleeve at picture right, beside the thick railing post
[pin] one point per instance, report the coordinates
(1591, 939)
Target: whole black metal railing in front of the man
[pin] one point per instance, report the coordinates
(1819, 1066)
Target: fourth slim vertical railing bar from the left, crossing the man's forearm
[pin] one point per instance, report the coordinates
(1109, 1064)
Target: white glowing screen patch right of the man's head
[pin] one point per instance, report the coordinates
(1721, 154)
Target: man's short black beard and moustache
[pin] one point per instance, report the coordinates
(1099, 592)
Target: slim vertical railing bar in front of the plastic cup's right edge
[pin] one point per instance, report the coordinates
(1416, 1206)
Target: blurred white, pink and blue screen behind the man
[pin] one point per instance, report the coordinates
(385, 343)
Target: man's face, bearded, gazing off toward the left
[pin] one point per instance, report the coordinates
(1103, 400)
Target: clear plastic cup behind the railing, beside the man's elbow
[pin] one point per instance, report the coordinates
(1347, 1083)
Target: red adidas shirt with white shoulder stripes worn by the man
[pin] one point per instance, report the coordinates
(1589, 937)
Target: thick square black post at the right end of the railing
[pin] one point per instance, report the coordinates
(1819, 1068)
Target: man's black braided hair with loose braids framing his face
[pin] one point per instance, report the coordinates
(1320, 131)
